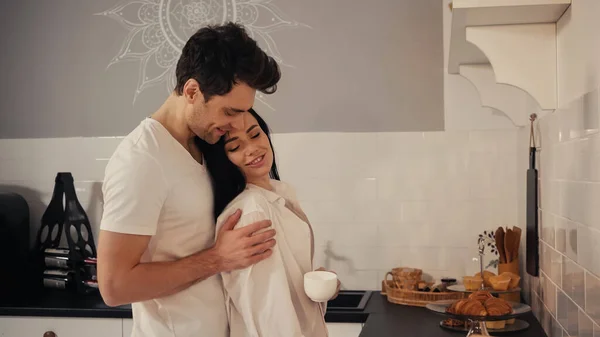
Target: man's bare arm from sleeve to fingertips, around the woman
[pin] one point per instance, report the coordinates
(123, 279)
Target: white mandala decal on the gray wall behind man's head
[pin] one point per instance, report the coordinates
(158, 30)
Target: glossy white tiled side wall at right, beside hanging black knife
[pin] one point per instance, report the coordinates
(570, 222)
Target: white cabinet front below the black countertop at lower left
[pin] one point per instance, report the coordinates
(62, 327)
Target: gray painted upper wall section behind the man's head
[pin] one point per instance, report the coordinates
(348, 65)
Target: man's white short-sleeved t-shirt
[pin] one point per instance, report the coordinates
(154, 187)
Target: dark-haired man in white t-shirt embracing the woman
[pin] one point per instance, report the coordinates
(156, 247)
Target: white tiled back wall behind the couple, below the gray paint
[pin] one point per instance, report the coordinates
(376, 200)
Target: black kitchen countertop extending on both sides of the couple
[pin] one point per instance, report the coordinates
(380, 318)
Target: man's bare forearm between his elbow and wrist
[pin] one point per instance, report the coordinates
(147, 281)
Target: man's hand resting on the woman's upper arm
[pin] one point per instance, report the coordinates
(243, 247)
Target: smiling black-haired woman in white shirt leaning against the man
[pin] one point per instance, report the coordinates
(267, 299)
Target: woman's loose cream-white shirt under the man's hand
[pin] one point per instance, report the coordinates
(268, 299)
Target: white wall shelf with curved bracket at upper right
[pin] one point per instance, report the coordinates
(517, 38)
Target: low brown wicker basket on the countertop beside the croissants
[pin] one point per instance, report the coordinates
(413, 297)
